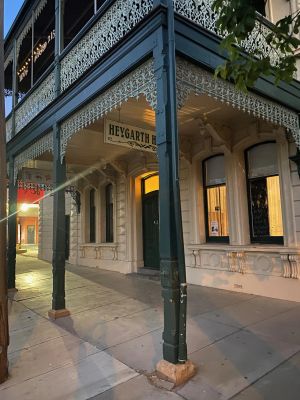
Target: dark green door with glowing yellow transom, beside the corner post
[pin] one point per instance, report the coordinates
(150, 210)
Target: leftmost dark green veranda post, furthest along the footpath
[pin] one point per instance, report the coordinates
(12, 229)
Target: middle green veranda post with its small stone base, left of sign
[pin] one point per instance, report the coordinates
(59, 257)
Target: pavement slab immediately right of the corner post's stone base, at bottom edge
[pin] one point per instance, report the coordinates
(231, 364)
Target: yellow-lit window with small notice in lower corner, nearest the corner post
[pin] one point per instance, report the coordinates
(215, 201)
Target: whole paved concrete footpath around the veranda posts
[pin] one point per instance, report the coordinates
(246, 347)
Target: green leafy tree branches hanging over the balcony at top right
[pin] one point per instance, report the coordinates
(237, 19)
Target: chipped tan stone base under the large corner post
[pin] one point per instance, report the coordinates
(176, 373)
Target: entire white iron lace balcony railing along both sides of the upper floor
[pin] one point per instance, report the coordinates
(111, 25)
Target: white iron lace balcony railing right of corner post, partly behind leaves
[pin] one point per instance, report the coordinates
(200, 12)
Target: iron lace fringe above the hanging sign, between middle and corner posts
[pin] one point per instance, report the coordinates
(141, 81)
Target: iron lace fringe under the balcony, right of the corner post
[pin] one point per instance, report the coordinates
(191, 78)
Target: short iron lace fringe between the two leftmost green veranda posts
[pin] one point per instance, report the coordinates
(32, 152)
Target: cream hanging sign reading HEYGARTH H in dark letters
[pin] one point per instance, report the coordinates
(129, 136)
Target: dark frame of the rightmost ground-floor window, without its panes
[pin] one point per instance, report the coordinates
(262, 239)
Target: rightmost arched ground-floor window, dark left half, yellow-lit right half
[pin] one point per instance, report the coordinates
(264, 194)
